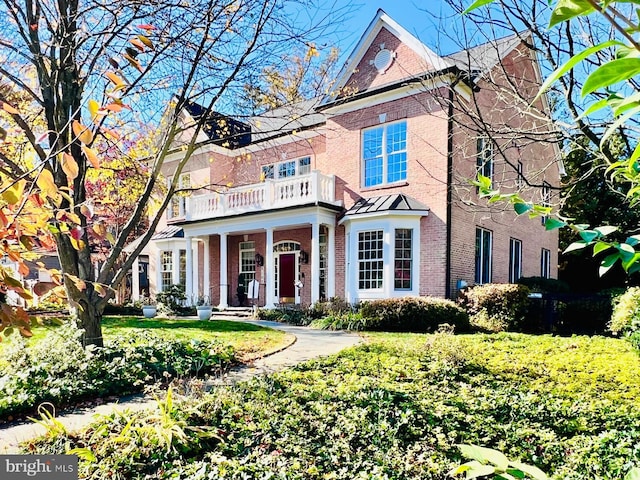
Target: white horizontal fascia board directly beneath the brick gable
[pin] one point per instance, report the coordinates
(404, 91)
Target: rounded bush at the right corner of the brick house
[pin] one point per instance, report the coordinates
(496, 306)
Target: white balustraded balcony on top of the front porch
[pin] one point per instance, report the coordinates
(269, 195)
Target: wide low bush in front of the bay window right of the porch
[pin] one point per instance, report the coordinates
(412, 314)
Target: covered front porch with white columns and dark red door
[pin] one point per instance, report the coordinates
(263, 259)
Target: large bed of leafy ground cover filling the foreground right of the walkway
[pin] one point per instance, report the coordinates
(394, 408)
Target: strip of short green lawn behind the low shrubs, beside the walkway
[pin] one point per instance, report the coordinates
(250, 341)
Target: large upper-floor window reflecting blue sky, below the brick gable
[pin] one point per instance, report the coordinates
(384, 154)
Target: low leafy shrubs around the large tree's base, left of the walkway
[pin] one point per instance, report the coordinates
(59, 370)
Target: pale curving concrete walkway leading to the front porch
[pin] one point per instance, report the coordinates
(309, 344)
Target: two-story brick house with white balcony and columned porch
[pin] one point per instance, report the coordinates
(365, 194)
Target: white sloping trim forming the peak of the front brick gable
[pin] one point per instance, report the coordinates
(379, 21)
